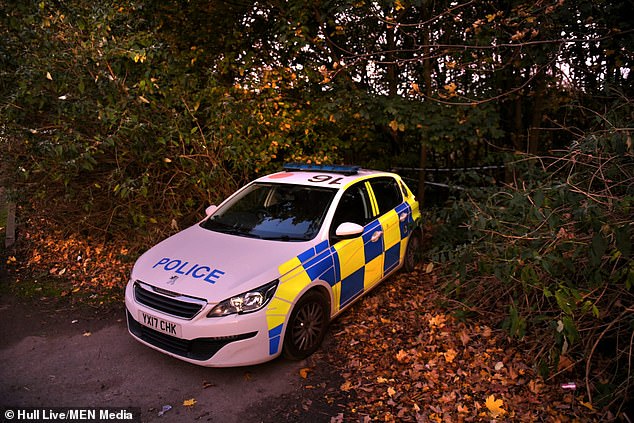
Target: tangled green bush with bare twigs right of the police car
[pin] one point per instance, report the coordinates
(554, 248)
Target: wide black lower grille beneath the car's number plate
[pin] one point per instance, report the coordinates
(196, 349)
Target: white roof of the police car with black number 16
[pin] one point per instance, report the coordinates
(326, 178)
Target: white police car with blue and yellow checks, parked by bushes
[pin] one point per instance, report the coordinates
(267, 269)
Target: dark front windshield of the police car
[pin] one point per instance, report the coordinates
(273, 211)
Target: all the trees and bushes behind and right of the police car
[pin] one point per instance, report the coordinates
(125, 119)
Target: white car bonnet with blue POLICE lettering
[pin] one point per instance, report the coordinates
(211, 265)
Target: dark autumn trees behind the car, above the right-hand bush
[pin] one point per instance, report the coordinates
(130, 112)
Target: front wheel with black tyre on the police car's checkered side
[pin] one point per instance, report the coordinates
(307, 326)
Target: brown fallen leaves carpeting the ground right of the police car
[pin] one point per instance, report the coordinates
(425, 365)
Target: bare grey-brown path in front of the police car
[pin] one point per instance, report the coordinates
(76, 358)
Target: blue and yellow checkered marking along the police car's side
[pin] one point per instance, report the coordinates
(369, 262)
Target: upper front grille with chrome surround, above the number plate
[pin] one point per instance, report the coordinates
(167, 302)
